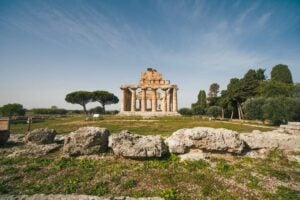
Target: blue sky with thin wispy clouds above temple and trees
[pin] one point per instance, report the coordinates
(50, 48)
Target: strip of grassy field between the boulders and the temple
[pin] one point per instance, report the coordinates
(162, 126)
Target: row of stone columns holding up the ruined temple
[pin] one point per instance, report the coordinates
(168, 96)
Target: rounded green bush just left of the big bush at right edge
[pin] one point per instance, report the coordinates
(253, 108)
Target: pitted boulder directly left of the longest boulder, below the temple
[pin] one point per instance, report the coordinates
(136, 146)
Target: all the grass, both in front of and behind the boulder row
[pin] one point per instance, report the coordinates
(233, 177)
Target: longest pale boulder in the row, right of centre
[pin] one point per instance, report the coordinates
(207, 139)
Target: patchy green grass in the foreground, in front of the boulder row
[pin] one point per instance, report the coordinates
(168, 177)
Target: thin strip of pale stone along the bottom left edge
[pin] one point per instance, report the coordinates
(70, 197)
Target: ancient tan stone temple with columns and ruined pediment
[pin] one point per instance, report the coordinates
(153, 96)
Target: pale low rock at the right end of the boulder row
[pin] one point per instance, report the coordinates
(271, 139)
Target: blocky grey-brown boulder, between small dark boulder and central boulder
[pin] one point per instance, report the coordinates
(85, 141)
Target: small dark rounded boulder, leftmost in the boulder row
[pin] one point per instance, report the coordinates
(41, 136)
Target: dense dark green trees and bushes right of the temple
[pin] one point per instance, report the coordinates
(253, 97)
